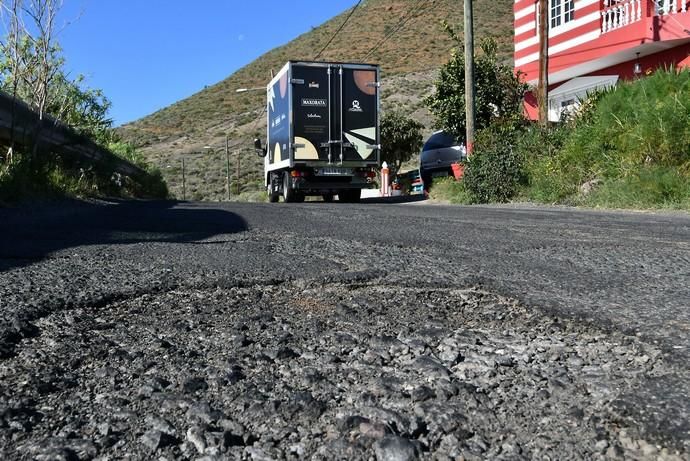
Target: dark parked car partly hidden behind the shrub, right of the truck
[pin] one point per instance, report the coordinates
(440, 151)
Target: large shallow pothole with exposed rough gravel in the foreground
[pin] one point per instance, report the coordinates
(325, 370)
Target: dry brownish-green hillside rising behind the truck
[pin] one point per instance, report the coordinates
(403, 36)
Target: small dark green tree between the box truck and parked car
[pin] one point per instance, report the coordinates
(400, 138)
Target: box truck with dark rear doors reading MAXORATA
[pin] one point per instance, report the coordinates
(323, 131)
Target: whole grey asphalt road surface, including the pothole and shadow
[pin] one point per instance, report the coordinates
(191, 330)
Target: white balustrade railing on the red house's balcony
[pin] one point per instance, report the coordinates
(620, 13)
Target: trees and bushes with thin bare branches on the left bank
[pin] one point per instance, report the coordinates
(32, 71)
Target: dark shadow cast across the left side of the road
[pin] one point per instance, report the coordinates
(29, 234)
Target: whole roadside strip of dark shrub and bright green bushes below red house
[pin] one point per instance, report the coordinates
(630, 144)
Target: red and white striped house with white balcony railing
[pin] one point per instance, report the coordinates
(594, 43)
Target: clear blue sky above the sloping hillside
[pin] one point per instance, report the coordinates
(148, 54)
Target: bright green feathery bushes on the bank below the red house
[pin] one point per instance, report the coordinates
(632, 140)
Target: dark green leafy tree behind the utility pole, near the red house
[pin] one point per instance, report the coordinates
(499, 92)
